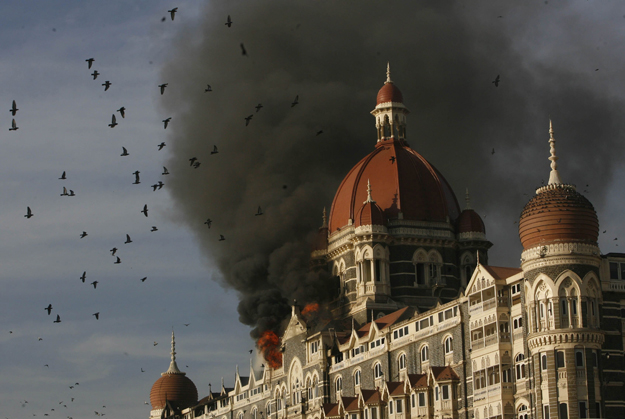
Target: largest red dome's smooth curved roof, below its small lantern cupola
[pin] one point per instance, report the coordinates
(402, 181)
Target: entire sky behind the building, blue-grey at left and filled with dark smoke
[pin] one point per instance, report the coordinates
(556, 59)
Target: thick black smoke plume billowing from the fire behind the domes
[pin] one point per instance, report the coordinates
(333, 55)
